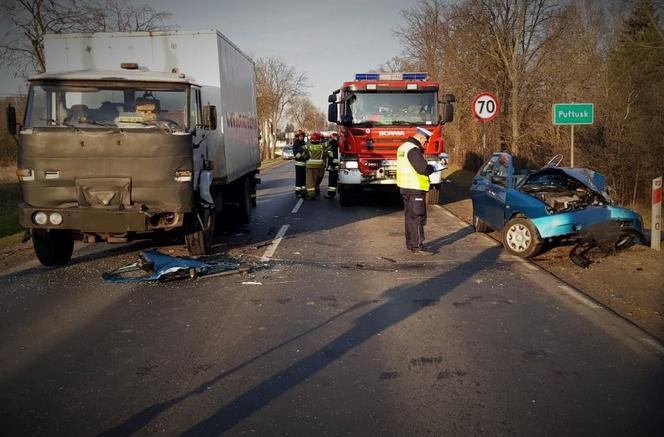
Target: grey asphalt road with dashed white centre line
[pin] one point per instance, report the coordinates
(336, 331)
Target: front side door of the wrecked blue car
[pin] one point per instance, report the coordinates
(496, 191)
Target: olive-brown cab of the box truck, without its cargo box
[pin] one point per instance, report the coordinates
(106, 155)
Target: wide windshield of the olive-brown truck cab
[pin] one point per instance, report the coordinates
(139, 107)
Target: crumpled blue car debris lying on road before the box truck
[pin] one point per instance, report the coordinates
(154, 266)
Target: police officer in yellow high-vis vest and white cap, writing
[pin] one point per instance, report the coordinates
(413, 180)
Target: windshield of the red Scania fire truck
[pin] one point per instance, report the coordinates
(394, 108)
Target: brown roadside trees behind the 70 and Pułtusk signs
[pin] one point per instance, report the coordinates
(534, 53)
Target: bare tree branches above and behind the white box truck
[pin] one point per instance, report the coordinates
(27, 21)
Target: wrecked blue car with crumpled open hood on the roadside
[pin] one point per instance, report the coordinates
(551, 205)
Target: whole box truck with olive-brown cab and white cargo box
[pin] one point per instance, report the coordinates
(128, 134)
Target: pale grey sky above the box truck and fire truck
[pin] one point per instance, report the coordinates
(329, 40)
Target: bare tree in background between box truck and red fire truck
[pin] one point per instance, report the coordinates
(278, 85)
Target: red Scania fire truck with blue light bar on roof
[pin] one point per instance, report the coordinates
(377, 112)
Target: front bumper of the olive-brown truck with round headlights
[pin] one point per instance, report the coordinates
(91, 220)
